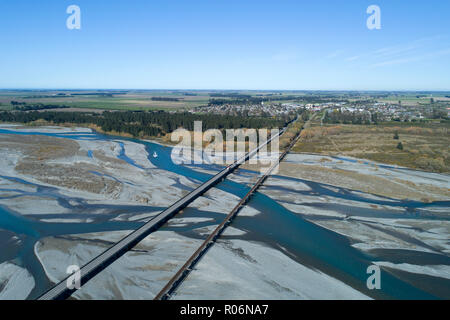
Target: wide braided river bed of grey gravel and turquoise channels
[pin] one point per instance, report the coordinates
(67, 194)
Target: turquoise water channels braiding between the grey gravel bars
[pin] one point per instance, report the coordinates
(302, 240)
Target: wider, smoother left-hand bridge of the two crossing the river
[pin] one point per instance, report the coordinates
(98, 264)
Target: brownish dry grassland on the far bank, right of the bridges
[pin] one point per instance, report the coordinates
(424, 148)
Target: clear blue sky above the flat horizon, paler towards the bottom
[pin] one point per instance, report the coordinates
(218, 44)
